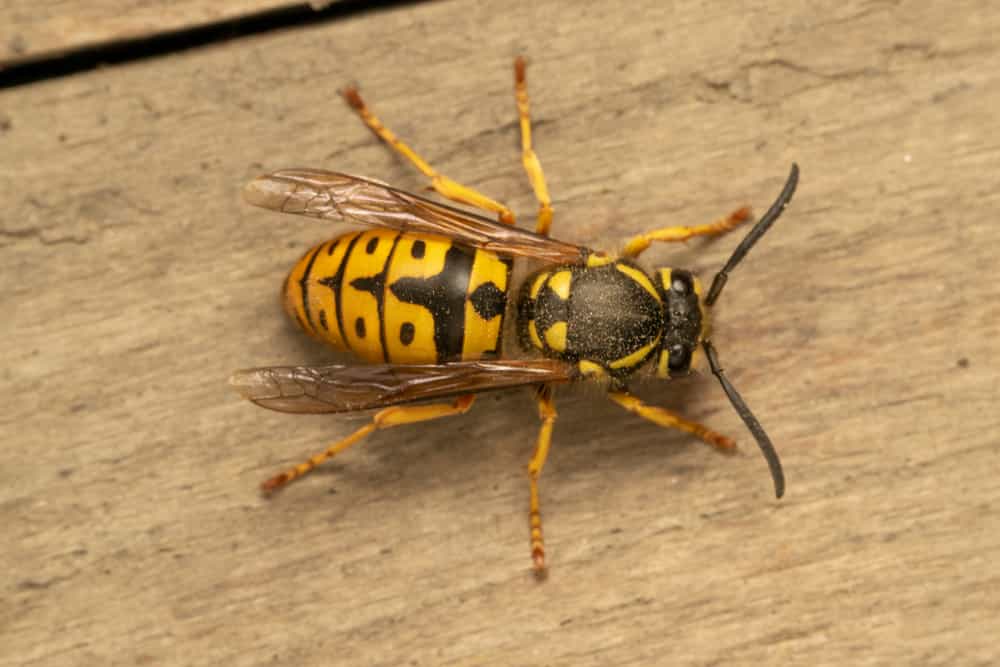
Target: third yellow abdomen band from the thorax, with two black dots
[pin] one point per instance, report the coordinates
(359, 307)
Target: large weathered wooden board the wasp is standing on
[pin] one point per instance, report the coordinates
(862, 330)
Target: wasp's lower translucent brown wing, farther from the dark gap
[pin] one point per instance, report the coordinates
(340, 388)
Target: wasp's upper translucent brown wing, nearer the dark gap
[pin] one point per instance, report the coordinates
(331, 195)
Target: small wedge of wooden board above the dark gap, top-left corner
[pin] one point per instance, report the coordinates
(51, 27)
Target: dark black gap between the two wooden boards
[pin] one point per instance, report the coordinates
(57, 65)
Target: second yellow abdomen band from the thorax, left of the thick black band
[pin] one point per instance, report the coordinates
(409, 328)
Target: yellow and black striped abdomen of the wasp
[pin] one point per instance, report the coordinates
(400, 298)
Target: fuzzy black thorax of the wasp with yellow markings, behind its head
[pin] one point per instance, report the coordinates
(609, 317)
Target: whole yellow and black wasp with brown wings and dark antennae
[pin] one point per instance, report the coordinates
(425, 294)
